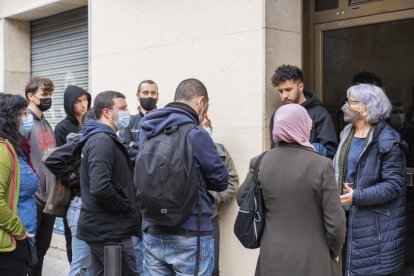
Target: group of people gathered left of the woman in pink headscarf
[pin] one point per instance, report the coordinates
(87, 156)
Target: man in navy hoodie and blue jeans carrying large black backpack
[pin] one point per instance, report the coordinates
(173, 250)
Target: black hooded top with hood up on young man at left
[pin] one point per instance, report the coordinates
(70, 123)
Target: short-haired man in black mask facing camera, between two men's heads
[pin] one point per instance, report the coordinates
(147, 96)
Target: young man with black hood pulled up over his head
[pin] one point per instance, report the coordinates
(76, 102)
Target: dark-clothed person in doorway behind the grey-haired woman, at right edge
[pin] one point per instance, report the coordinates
(399, 122)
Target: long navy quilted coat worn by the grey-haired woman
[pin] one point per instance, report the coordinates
(377, 217)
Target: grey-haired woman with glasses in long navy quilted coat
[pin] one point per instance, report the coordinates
(370, 171)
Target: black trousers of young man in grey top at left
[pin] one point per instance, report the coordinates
(44, 231)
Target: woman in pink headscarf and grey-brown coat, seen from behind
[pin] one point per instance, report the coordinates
(304, 221)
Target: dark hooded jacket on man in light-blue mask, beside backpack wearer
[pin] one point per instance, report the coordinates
(109, 210)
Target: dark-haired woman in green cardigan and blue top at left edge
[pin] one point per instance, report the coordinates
(18, 184)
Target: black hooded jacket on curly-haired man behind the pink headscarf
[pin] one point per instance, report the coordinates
(323, 130)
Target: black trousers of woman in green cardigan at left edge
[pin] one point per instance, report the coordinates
(14, 263)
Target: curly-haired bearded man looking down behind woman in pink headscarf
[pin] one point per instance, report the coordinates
(288, 81)
